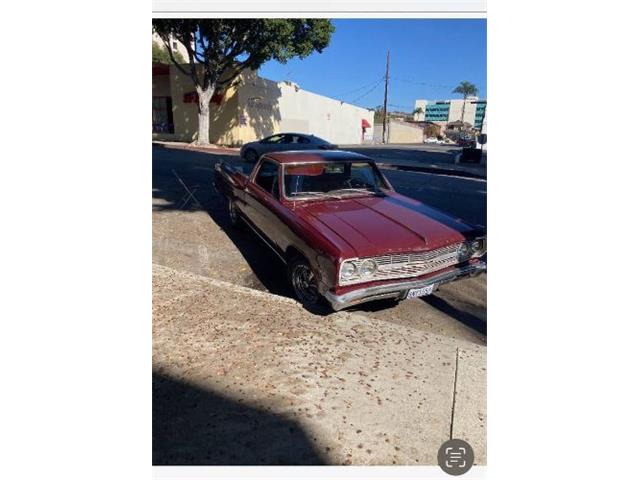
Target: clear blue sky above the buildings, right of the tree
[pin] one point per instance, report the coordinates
(428, 58)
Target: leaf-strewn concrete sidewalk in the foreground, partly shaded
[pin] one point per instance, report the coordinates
(247, 377)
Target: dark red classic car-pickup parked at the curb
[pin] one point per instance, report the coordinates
(342, 231)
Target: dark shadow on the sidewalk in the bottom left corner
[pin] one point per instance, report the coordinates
(192, 426)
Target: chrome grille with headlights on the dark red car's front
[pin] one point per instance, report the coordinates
(407, 265)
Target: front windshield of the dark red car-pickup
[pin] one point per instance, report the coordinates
(332, 179)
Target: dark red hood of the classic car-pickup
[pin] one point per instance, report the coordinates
(378, 225)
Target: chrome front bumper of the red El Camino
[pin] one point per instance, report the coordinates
(399, 290)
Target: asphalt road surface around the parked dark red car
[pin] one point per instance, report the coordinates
(191, 233)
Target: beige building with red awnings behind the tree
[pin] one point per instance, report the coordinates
(253, 109)
